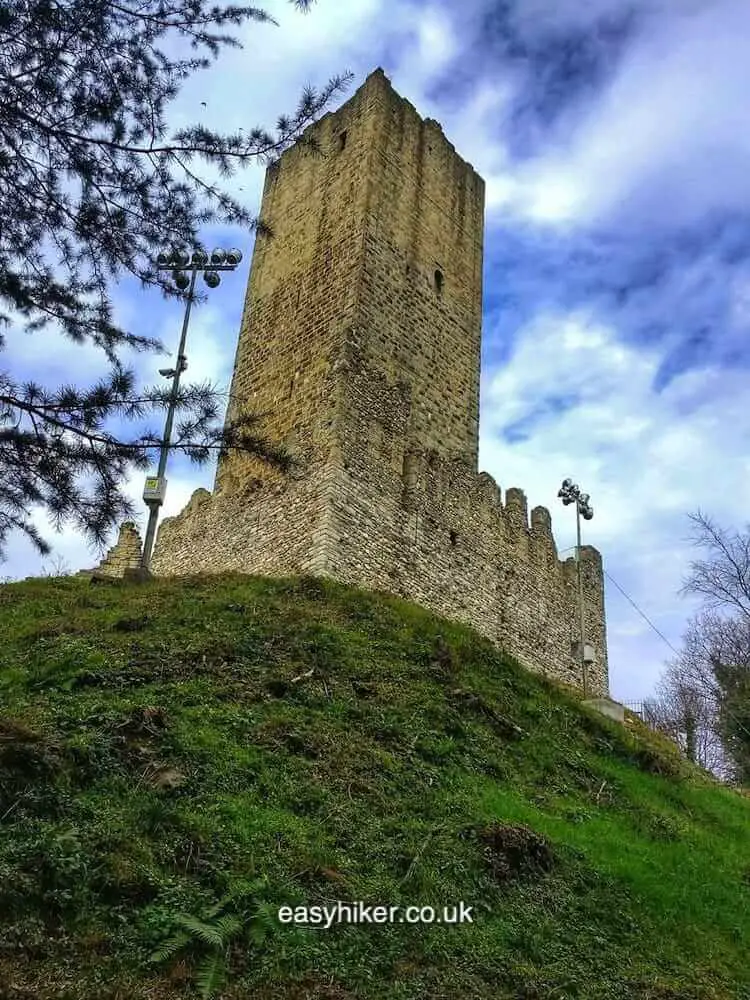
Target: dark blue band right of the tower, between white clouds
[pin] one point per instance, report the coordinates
(674, 288)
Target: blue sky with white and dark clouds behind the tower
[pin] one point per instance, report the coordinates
(614, 139)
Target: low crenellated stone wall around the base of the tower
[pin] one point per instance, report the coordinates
(447, 542)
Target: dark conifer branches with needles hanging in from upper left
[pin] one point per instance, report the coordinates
(93, 184)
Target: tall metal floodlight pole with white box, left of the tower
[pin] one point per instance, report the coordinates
(179, 262)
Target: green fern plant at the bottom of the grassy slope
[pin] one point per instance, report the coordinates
(208, 939)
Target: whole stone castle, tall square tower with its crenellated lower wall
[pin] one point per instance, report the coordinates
(360, 343)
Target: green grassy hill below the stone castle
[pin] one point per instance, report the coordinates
(179, 760)
